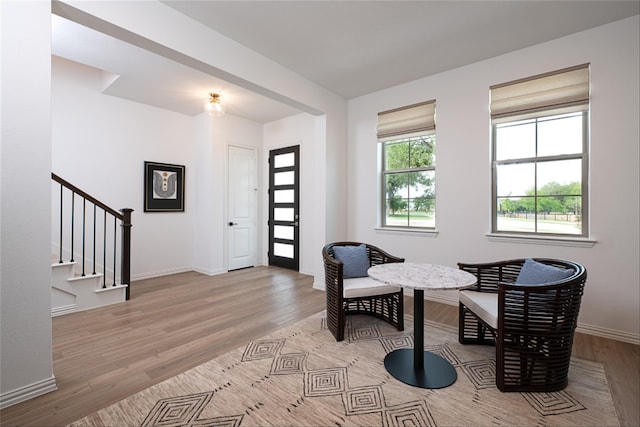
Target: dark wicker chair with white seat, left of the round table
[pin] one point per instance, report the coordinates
(361, 295)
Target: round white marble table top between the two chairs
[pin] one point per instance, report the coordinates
(421, 276)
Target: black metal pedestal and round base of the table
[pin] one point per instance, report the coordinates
(415, 366)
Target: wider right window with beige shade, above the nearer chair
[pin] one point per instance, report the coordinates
(540, 140)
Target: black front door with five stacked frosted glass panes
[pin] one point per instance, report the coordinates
(284, 218)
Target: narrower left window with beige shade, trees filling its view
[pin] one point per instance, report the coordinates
(408, 141)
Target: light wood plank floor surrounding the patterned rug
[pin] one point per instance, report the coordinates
(176, 322)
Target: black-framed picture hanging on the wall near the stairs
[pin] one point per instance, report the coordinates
(163, 187)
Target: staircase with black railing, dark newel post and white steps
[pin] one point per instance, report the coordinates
(89, 252)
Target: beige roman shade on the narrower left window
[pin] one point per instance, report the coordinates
(412, 120)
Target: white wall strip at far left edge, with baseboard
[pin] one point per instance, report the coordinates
(26, 368)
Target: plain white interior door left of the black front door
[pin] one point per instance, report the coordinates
(243, 207)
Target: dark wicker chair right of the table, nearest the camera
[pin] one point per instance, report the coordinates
(532, 326)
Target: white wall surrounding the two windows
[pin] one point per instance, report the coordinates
(463, 184)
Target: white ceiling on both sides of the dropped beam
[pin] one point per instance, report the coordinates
(348, 47)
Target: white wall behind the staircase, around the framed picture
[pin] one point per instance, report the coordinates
(100, 144)
